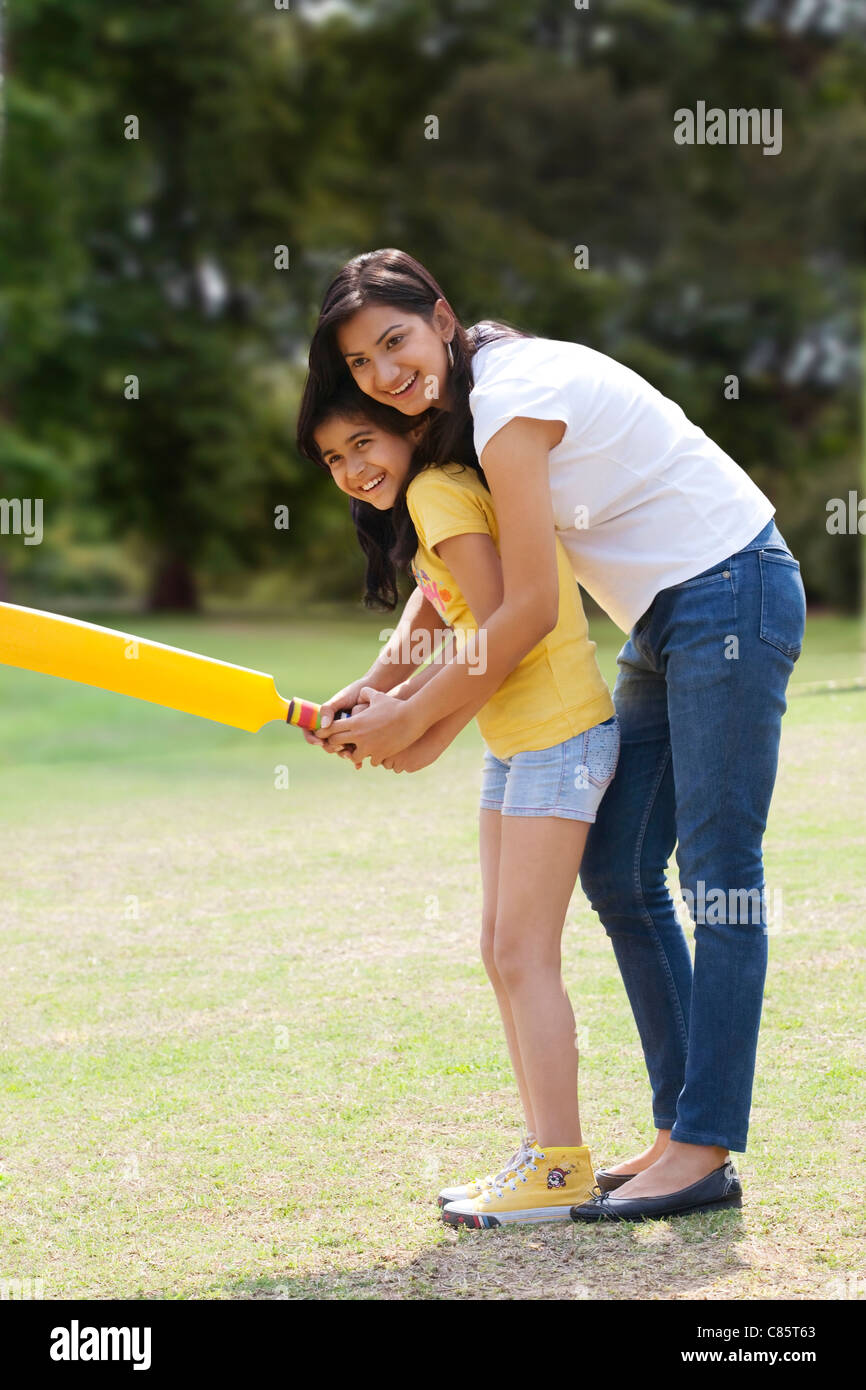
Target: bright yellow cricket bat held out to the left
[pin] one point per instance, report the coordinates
(147, 671)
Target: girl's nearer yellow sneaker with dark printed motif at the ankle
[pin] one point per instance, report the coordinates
(544, 1189)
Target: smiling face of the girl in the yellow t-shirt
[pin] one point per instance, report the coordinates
(366, 462)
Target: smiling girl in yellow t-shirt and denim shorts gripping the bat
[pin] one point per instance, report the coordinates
(553, 744)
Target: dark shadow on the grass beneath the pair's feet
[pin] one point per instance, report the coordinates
(689, 1259)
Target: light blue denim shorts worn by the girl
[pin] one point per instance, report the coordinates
(566, 780)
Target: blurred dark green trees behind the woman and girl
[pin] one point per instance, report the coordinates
(305, 127)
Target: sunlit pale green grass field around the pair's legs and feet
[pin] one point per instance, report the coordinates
(247, 1033)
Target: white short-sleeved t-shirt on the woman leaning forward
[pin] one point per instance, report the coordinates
(642, 497)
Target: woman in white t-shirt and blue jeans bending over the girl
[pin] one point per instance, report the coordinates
(679, 546)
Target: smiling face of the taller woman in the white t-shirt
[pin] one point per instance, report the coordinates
(397, 358)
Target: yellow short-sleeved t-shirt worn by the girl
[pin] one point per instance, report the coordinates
(558, 690)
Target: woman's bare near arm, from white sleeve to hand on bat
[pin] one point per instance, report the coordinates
(516, 468)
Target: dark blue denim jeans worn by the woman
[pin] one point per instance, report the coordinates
(700, 698)
